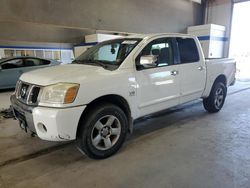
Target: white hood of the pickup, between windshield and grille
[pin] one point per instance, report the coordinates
(71, 73)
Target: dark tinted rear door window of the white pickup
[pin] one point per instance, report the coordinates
(188, 50)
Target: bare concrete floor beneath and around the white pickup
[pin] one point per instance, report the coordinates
(180, 147)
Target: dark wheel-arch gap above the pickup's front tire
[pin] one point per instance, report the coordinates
(118, 100)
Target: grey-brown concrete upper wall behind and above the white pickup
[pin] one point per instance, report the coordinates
(64, 21)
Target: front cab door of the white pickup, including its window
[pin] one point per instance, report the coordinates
(159, 83)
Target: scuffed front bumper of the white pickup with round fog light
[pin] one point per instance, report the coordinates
(53, 124)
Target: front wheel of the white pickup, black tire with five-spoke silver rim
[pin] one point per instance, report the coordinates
(91, 138)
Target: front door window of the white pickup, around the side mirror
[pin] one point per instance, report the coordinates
(162, 49)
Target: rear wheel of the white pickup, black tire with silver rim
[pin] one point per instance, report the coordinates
(216, 99)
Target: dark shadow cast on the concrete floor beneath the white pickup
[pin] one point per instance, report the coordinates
(176, 117)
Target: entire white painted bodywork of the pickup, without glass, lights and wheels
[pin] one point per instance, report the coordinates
(154, 89)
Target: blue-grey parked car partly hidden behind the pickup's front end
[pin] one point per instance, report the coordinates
(12, 68)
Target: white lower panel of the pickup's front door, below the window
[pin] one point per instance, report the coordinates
(158, 89)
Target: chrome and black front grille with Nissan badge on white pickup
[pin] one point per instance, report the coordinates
(27, 93)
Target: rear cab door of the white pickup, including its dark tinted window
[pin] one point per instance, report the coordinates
(192, 70)
